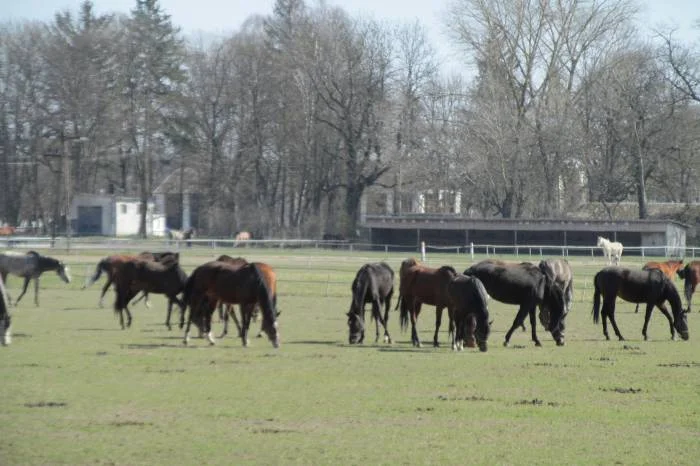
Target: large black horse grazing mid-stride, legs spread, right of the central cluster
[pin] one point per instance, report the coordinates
(526, 285)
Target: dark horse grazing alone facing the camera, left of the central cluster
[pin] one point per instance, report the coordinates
(373, 283)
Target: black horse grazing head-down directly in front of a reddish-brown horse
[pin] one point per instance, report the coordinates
(470, 312)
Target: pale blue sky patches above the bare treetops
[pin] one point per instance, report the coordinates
(224, 16)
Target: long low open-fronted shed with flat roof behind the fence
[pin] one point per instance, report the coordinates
(453, 230)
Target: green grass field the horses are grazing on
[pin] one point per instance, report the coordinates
(78, 390)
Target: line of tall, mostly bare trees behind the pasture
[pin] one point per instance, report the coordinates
(291, 120)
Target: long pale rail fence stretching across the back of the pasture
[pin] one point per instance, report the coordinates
(525, 250)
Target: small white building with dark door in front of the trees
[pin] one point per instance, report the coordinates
(108, 215)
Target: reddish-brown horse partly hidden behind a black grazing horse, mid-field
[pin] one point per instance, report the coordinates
(419, 284)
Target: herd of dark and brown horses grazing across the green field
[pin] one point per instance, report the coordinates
(228, 281)
